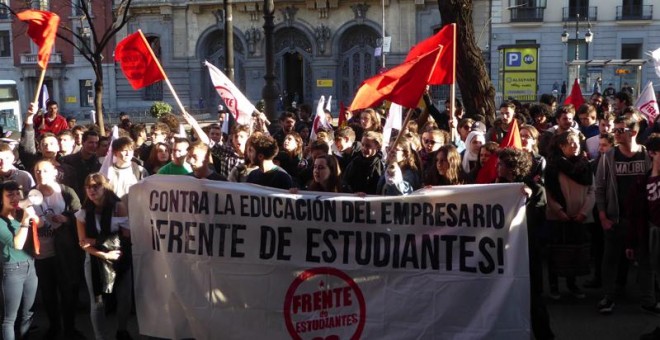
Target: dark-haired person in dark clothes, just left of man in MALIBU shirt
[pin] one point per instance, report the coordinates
(570, 195)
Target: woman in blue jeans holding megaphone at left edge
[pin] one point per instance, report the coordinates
(19, 279)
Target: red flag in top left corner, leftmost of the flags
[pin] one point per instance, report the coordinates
(42, 29)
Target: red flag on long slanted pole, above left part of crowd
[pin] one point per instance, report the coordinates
(138, 62)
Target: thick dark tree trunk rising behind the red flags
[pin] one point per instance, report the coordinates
(476, 88)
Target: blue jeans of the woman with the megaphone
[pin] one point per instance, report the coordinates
(19, 286)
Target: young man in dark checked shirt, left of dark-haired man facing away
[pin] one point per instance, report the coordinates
(230, 154)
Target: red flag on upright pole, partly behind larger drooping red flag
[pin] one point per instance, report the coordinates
(444, 71)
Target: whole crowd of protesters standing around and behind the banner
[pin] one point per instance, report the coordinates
(581, 167)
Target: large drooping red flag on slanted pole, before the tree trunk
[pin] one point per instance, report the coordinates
(403, 84)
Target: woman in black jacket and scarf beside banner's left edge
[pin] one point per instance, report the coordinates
(104, 235)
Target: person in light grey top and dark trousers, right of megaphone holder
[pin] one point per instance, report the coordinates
(60, 258)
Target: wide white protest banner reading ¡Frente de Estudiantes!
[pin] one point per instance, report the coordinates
(236, 261)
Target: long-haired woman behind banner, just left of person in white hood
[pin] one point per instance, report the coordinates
(447, 169)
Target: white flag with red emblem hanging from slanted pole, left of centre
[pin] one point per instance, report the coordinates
(239, 106)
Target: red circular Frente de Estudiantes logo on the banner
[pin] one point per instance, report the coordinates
(324, 303)
